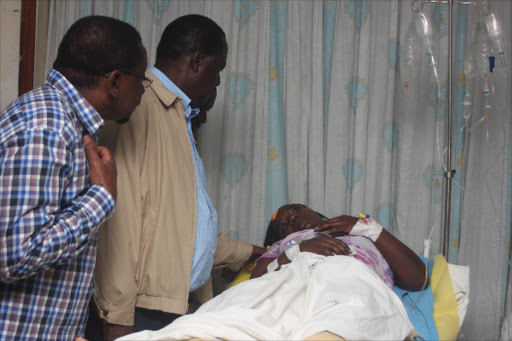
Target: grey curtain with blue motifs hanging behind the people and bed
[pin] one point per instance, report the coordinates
(318, 105)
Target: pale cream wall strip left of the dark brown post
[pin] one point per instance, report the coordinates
(10, 14)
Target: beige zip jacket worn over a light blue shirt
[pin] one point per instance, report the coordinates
(145, 250)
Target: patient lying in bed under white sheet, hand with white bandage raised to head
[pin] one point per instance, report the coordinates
(310, 283)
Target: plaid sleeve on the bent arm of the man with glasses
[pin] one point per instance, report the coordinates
(36, 167)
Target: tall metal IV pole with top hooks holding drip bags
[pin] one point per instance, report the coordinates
(449, 172)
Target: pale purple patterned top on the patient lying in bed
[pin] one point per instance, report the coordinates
(363, 249)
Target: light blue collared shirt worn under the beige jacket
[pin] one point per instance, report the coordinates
(206, 230)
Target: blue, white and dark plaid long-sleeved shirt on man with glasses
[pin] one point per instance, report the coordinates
(49, 214)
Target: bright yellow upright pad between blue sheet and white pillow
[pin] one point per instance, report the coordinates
(446, 316)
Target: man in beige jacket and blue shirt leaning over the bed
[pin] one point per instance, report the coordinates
(162, 242)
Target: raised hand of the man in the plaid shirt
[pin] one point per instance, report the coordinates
(102, 166)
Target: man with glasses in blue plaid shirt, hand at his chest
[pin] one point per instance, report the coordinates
(56, 185)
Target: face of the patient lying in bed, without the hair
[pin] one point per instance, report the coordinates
(293, 218)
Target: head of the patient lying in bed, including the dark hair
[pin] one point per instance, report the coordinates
(289, 219)
